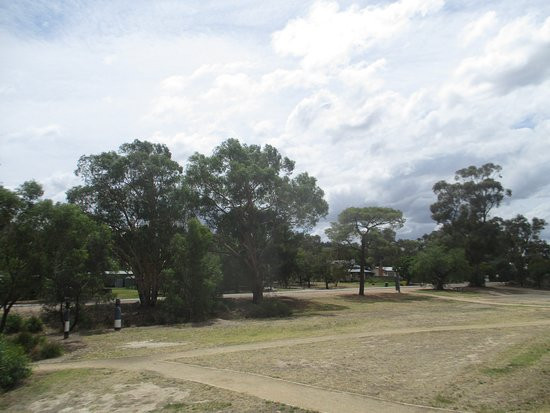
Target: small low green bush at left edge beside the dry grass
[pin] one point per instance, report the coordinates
(14, 365)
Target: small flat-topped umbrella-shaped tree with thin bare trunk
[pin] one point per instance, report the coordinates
(360, 224)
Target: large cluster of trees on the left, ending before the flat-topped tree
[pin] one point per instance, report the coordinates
(137, 209)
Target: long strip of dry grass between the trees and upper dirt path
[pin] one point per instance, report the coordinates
(313, 317)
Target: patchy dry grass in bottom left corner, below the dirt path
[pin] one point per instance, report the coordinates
(130, 392)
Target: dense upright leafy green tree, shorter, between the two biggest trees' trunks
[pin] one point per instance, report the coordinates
(194, 274)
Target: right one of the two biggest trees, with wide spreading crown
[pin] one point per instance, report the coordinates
(246, 193)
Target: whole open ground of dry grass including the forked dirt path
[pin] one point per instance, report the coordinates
(483, 351)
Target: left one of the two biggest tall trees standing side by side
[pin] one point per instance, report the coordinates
(139, 193)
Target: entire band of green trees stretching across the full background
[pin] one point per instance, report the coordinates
(240, 218)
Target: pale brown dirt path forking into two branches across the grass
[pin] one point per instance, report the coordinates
(268, 388)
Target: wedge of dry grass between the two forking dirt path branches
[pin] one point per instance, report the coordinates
(468, 370)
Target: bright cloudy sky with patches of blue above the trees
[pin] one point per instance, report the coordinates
(376, 99)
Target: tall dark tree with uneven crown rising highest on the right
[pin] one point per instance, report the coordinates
(463, 209)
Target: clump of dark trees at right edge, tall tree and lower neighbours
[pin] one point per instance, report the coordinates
(471, 244)
